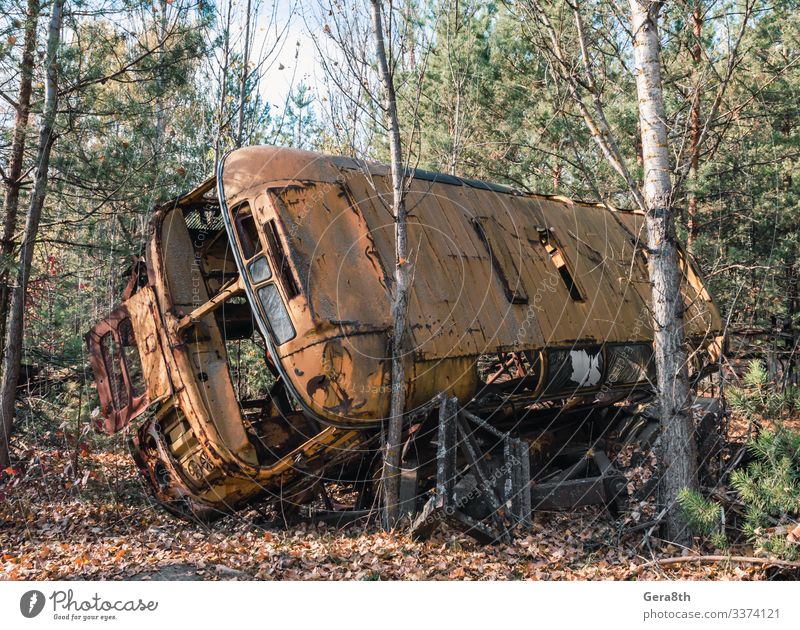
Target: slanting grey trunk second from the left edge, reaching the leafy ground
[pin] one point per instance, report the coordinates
(13, 352)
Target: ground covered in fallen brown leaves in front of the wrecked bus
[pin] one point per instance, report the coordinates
(99, 522)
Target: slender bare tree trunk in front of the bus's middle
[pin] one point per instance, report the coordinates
(391, 465)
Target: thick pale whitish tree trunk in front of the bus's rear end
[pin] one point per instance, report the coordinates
(678, 456)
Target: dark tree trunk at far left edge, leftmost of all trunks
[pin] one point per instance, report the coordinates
(13, 183)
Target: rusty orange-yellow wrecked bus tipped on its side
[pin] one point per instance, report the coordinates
(254, 335)
